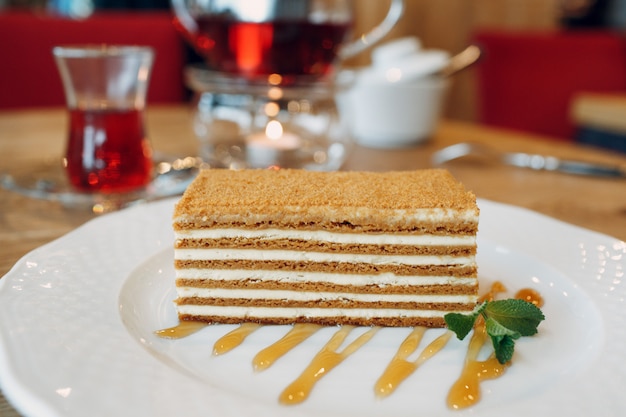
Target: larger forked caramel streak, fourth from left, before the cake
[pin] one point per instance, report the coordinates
(325, 360)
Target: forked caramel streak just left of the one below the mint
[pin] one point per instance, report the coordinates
(399, 368)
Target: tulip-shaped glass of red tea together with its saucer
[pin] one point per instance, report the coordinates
(108, 163)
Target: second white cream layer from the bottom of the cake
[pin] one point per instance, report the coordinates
(277, 295)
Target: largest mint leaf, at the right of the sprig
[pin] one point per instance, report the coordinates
(516, 315)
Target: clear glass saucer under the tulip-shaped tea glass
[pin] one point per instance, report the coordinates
(48, 182)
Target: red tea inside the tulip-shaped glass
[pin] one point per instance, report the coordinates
(108, 151)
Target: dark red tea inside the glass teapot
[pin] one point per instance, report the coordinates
(277, 47)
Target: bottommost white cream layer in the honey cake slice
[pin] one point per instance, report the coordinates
(294, 313)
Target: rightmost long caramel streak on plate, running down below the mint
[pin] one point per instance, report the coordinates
(466, 390)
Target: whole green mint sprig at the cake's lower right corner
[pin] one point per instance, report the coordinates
(505, 322)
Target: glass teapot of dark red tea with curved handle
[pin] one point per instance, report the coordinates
(292, 38)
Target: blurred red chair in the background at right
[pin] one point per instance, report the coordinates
(526, 80)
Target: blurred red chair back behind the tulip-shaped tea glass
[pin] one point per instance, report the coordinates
(28, 73)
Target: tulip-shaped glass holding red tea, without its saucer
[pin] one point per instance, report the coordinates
(105, 90)
